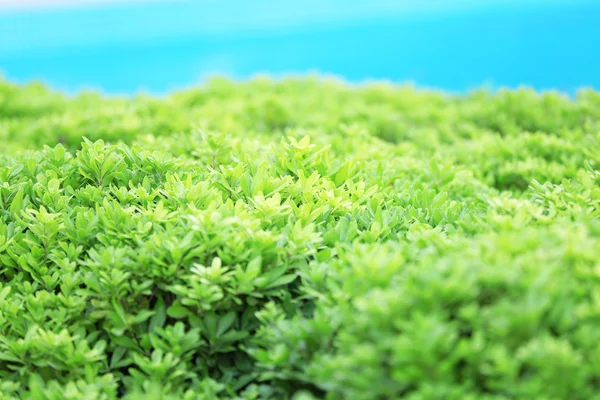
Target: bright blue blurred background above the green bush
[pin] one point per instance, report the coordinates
(127, 46)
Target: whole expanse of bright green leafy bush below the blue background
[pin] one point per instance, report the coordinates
(299, 239)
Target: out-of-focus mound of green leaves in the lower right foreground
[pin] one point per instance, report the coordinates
(488, 309)
